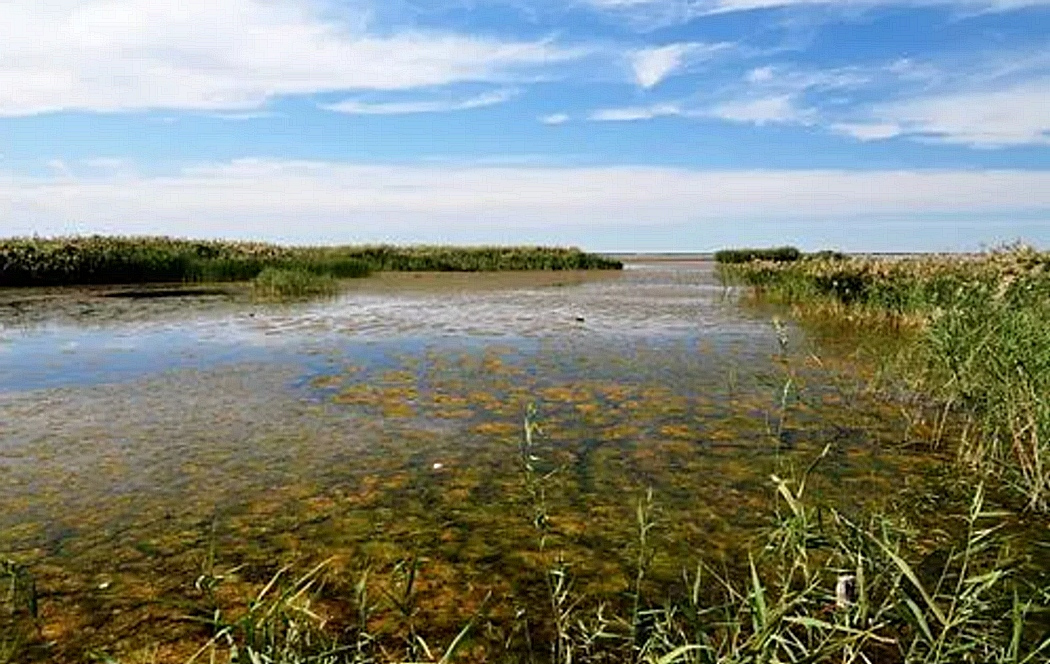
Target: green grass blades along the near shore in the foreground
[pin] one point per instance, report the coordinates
(825, 588)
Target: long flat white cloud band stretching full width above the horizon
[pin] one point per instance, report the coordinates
(337, 202)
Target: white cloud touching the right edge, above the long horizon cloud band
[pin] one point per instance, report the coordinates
(1017, 115)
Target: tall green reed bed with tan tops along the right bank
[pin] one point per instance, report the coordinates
(980, 343)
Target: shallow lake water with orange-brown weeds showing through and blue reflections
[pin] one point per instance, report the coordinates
(145, 440)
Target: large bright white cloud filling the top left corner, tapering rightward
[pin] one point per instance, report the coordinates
(223, 55)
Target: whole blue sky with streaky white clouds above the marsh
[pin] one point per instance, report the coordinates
(615, 126)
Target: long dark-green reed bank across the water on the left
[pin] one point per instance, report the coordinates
(101, 260)
